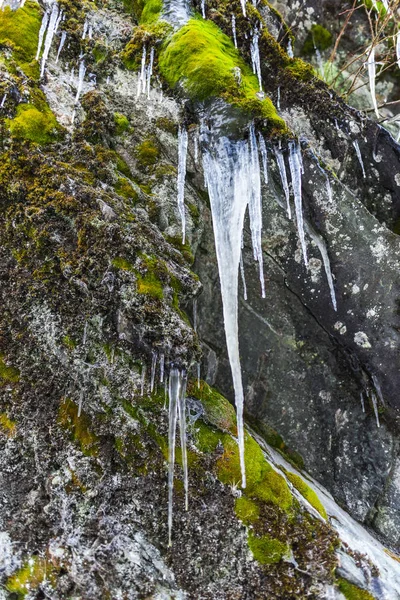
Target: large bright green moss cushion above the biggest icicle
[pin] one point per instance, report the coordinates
(207, 64)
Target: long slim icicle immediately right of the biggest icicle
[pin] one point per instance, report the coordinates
(255, 209)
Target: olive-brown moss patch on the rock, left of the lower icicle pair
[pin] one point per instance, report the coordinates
(79, 427)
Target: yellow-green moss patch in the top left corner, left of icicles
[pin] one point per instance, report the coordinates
(19, 29)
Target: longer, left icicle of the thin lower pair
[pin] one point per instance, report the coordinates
(174, 394)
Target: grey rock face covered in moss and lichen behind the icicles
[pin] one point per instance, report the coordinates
(95, 282)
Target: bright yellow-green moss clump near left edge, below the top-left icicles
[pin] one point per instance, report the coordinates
(34, 125)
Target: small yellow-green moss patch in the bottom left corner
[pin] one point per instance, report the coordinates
(34, 572)
